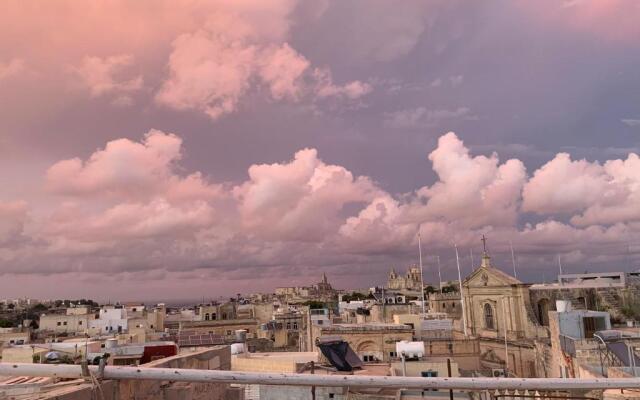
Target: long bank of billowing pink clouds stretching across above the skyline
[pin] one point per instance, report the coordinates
(128, 206)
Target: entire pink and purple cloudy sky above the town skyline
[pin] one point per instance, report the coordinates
(188, 149)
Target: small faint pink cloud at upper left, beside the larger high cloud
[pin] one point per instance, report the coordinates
(102, 76)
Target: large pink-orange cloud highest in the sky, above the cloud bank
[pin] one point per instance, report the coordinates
(213, 68)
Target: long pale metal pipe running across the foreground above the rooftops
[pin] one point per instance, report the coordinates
(216, 376)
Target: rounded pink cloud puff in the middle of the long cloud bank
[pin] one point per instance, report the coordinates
(300, 200)
